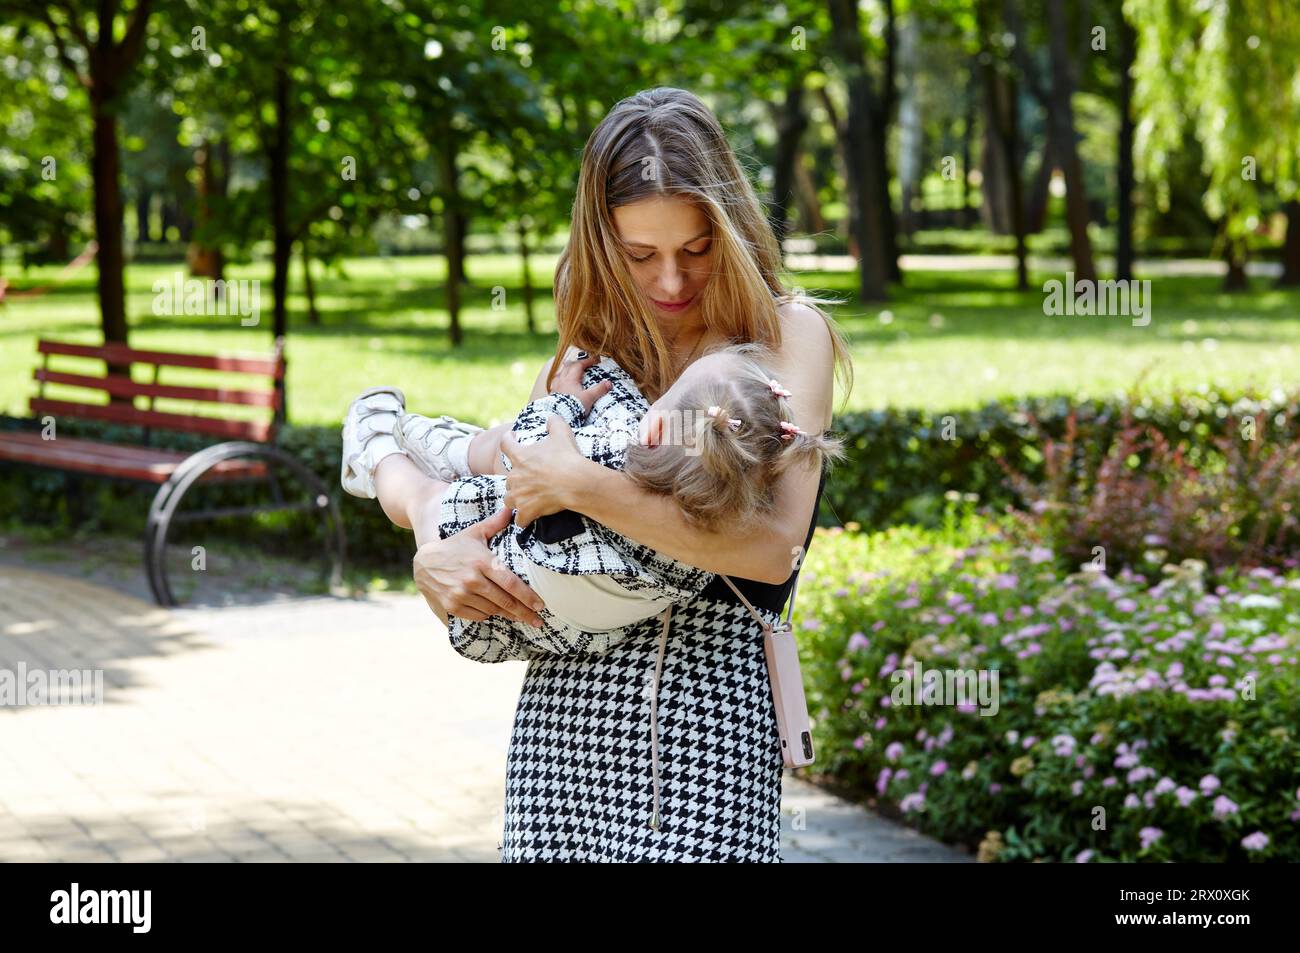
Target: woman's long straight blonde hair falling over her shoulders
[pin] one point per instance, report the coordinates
(668, 142)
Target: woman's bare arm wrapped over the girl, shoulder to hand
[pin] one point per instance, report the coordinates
(553, 476)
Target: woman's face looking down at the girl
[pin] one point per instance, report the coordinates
(668, 242)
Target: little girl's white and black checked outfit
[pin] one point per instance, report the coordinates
(573, 545)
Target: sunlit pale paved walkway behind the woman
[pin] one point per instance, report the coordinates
(307, 730)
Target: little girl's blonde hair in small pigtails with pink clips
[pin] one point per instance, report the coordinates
(727, 448)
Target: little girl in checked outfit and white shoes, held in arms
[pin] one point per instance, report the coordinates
(717, 443)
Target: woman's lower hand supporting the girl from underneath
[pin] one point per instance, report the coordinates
(461, 577)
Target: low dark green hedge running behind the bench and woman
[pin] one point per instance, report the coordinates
(900, 465)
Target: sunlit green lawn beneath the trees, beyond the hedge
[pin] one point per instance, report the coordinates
(948, 340)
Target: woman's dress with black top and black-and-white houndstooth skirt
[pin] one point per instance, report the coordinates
(580, 778)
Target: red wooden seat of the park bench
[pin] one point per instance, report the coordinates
(148, 465)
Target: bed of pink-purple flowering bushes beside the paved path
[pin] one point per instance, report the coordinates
(1128, 718)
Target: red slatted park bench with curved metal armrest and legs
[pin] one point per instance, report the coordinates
(244, 454)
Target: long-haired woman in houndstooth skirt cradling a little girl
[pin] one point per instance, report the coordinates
(669, 254)
